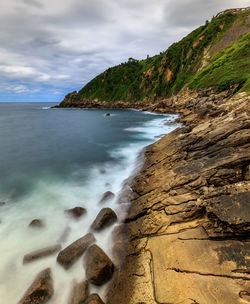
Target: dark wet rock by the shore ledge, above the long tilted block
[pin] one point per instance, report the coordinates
(106, 217)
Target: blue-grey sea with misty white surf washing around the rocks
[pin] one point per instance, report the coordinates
(56, 159)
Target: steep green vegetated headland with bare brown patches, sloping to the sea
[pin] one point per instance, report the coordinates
(215, 55)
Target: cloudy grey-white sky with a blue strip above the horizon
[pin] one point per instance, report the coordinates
(49, 48)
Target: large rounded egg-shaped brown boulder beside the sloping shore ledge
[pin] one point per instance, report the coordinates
(99, 267)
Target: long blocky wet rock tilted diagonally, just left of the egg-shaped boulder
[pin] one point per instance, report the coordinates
(70, 254)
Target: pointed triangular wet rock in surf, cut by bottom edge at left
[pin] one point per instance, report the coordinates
(41, 290)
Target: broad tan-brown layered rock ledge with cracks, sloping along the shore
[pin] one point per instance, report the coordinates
(189, 223)
